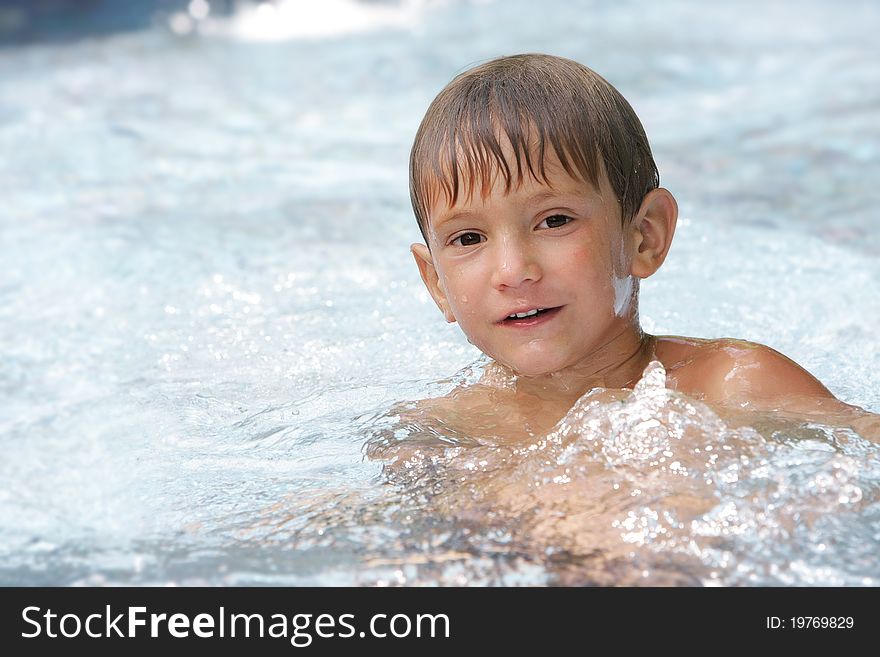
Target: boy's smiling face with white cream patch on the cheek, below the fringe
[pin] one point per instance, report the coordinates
(559, 248)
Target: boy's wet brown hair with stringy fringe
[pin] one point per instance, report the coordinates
(534, 102)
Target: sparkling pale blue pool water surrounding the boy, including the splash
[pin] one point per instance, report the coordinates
(208, 311)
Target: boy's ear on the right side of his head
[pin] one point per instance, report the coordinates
(652, 231)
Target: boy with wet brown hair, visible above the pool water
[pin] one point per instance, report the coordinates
(535, 190)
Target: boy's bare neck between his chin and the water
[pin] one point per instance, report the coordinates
(618, 363)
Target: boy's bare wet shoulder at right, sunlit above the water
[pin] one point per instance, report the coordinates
(727, 371)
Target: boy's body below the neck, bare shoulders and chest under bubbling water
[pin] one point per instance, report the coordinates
(673, 476)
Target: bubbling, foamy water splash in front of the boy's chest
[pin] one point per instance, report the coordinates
(650, 486)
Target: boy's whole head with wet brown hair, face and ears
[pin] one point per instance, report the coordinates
(536, 192)
